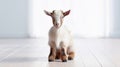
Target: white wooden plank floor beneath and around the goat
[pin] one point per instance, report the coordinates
(34, 52)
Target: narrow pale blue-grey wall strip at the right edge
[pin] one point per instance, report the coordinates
(115, 25)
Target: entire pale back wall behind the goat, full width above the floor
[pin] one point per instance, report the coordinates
(24, 18)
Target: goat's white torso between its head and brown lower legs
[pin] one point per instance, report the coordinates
(60, 35)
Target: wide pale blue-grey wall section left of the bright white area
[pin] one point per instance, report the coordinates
(14, 18)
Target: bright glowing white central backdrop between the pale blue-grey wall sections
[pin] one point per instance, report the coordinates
(88, 18)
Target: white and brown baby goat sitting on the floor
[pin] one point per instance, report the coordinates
(60, 38)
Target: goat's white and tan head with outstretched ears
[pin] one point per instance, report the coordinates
(57, 16)
